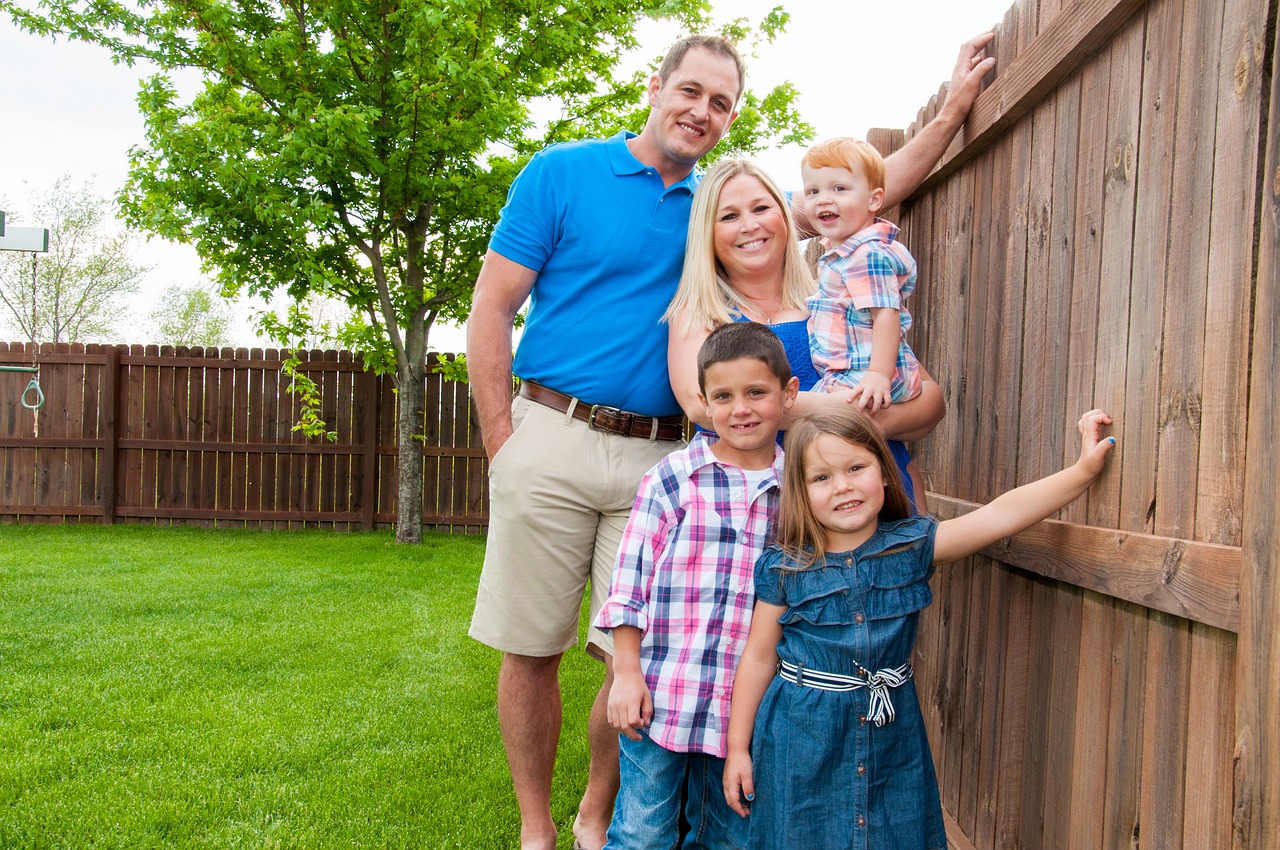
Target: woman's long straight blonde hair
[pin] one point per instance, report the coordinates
(705, 296)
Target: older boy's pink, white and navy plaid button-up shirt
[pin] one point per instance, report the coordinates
(685, 579)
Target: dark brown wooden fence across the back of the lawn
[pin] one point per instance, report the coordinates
(205, 437)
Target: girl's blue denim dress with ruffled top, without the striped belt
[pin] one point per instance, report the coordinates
(826, 776)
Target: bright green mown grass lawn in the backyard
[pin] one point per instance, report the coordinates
(189, 688)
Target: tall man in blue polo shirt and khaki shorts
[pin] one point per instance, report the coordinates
(593, 235)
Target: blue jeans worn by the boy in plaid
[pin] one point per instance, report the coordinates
(647, 814)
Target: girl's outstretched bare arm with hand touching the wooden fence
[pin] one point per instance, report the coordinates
(1023, 508)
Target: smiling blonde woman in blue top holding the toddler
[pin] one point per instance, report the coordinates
(743, 263)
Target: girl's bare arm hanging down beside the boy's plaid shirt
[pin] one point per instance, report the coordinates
(755, 674)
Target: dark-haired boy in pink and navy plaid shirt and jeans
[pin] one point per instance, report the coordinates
(683, 592)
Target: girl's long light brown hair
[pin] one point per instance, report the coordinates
(798, 532)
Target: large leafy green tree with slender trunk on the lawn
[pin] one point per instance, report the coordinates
(363, 150)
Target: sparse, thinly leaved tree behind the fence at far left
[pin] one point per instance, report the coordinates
(81, 290)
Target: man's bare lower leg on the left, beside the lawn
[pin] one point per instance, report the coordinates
(529, 714)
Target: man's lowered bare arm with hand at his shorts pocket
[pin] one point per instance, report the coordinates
(501, 290)
